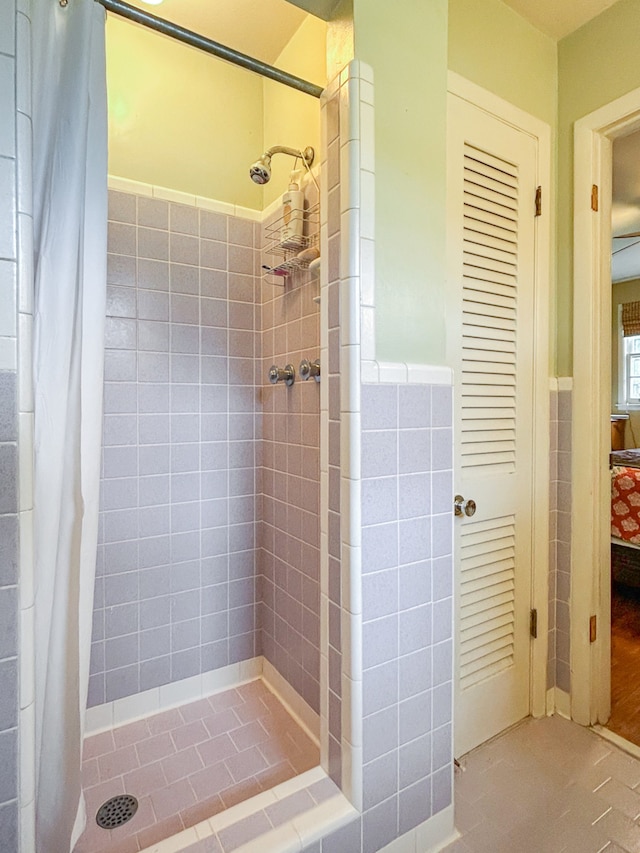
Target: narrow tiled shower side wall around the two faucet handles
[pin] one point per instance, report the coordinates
(290, 530)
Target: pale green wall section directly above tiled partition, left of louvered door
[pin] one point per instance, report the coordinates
(405, 42)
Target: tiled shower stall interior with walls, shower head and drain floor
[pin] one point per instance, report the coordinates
(204, 684)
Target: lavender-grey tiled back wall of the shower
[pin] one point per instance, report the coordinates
(176, 574)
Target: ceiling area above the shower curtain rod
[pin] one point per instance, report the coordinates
(260, 29)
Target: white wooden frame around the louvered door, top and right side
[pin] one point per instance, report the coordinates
(541, 131)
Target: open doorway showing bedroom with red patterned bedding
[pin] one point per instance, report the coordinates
(625, 439)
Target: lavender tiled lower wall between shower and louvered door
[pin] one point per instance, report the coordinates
(406, 607)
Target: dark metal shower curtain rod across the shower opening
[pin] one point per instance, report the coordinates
(174, 31)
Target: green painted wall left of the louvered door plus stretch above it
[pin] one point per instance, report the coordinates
(410, 46)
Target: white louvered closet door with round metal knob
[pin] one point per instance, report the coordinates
(491, 251)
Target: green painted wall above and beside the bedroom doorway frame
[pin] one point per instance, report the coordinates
(596, 64)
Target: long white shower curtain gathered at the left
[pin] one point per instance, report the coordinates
(70, 245)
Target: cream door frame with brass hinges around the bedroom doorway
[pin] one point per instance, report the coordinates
(591, 430)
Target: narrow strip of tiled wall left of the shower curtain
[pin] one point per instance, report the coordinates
(16, 432)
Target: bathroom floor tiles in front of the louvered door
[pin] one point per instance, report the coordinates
(547, 786)
